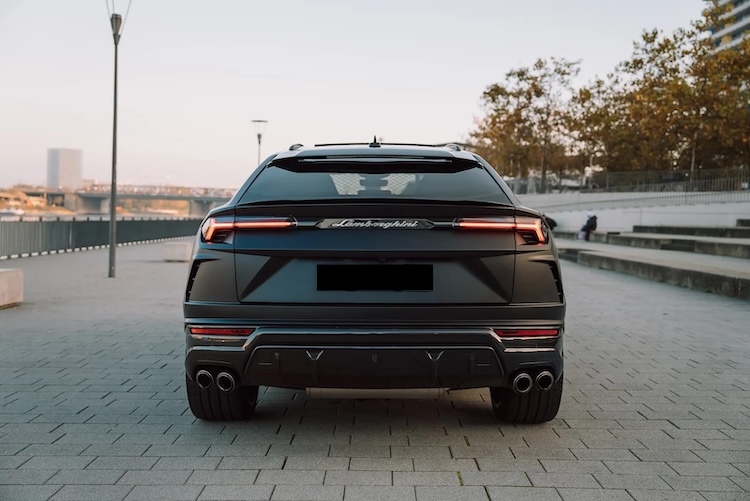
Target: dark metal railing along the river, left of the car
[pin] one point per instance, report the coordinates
(27, 236)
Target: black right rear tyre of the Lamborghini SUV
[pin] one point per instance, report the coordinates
(528, 408)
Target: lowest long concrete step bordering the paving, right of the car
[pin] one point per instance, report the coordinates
(728, 276)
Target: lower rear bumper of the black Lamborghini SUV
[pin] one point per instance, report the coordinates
(386, 357)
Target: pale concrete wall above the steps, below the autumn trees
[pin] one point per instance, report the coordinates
(624, 218)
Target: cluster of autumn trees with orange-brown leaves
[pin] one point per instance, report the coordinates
(678, 102)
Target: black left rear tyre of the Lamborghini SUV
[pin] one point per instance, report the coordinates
(213, 404)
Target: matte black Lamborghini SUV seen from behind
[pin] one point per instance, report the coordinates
(374, 268)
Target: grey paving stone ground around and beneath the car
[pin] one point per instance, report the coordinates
(656, 405)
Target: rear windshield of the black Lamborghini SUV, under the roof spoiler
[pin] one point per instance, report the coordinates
(457, 181)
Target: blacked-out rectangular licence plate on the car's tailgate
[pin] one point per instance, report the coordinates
(375, 277)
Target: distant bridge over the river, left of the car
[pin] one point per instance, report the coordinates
(95, 199)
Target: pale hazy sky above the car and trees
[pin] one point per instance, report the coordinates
(194, 74)
